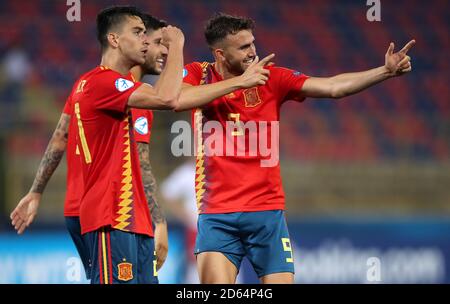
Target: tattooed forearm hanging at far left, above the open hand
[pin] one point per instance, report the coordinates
(53, 155)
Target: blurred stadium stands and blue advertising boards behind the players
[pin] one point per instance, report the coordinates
(368, 176)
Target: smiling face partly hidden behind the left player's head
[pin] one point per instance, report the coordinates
(156, 54)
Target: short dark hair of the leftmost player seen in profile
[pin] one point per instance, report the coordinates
(111, 17)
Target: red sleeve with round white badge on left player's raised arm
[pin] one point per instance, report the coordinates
(111, 91)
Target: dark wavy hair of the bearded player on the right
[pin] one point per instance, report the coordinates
(221, 25)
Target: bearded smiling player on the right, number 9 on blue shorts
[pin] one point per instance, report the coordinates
(241, 203)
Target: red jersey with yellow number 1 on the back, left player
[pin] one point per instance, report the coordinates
(113, 193)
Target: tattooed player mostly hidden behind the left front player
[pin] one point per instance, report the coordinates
(62, 139)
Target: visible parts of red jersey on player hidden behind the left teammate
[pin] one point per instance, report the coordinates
(142, 122)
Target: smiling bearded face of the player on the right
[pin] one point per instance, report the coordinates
(239, 51)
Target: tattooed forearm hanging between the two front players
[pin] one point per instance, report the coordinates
(149, 183)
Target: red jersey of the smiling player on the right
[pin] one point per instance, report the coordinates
(238, 182)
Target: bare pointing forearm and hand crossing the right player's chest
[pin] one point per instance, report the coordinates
(197, 96)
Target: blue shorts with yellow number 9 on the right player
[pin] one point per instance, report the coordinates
(261, 236)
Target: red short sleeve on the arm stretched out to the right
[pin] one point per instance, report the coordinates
(290, 83)
